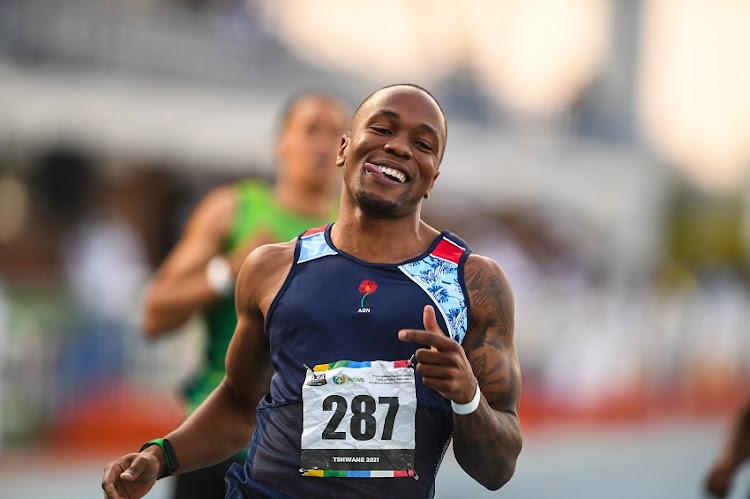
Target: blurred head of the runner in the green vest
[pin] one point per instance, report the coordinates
(308, 143)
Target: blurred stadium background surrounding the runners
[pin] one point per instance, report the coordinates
(598, 149)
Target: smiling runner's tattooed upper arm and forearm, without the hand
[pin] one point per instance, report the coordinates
(487, 442)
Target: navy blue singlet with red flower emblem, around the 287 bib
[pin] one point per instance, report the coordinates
(333, 306)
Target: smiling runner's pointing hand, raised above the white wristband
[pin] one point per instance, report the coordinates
(444, 366)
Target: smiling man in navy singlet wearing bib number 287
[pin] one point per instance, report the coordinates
(356, 299)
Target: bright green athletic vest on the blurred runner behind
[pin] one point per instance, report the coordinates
(256, 211)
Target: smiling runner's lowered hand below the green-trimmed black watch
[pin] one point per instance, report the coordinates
(131, 476)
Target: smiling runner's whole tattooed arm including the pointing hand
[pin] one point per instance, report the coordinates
(487, 441)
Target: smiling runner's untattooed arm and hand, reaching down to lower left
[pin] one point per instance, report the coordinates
(223, 424)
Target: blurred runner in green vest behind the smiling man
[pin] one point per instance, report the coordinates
(199, 274)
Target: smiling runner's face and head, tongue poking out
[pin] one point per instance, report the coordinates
(392, 151)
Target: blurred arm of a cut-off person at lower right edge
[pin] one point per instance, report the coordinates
(736, 451)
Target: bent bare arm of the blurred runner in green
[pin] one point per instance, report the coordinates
(180, 286)
